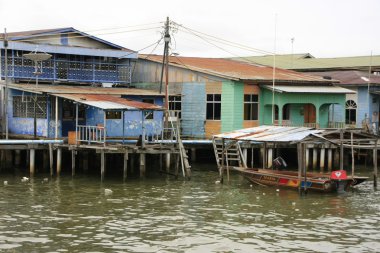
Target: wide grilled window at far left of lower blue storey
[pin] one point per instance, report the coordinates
(23, 106)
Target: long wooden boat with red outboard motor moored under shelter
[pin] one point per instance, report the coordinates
(337, 181)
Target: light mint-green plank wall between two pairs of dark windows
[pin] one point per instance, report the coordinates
(232, 106)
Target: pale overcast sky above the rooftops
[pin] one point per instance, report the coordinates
(324, 28)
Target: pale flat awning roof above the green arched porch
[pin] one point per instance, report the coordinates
(309, 89)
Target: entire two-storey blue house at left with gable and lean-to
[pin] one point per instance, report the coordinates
(82, 88)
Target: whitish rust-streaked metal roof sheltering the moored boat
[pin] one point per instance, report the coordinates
(270, 134)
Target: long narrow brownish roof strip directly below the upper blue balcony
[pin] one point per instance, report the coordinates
(65, 89)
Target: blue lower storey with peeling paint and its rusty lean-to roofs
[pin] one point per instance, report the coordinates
(97, 114)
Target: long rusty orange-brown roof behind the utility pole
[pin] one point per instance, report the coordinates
(236, 70)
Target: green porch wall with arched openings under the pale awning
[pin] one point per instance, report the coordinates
(297, 100)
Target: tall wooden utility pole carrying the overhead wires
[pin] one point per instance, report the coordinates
(165, 65)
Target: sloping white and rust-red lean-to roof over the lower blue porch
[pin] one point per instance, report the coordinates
(109, 102)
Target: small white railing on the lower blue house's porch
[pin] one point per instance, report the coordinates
(91, 134)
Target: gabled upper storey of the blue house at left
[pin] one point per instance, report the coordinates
(77, 57)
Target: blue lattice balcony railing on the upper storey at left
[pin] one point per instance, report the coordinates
(71, 71)
